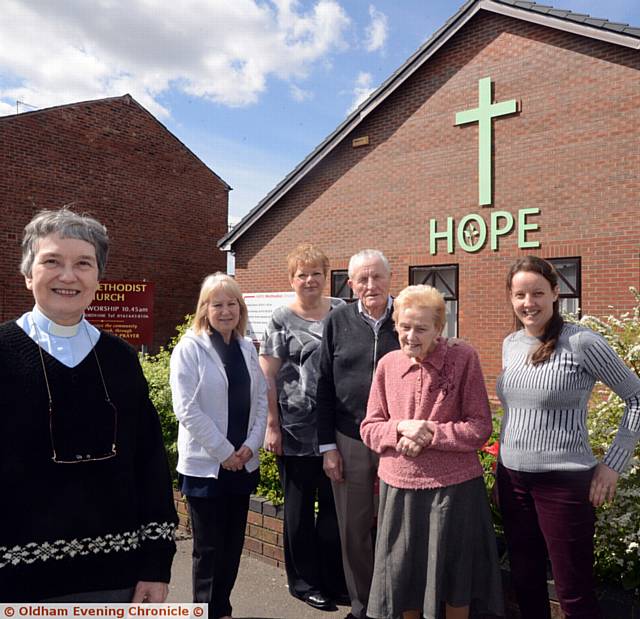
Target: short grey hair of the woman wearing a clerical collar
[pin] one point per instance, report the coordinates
(67, 225)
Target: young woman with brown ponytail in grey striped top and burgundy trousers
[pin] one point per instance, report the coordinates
(549, 481)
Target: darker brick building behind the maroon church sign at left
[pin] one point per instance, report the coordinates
(163, 207)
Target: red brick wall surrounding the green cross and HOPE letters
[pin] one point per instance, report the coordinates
(573, 151)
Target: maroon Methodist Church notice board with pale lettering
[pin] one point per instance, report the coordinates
(124, 308)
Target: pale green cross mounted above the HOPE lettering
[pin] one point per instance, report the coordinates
(483, 115)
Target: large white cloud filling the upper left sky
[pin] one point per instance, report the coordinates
(59, 52)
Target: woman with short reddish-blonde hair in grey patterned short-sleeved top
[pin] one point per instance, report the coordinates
(289, 361)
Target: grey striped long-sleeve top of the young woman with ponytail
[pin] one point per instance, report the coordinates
(545, 406)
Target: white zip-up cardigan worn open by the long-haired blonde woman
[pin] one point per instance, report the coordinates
(199, 391)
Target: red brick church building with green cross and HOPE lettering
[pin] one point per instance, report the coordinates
(515, 129)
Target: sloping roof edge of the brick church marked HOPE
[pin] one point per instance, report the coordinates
(576, 23)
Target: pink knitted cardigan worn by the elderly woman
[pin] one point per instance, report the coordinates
(448, 389)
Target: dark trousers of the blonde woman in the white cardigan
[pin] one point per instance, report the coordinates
(218, 526)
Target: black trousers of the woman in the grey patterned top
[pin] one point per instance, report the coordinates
(312, 552)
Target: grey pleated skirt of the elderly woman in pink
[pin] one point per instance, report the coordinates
(435, 546)
